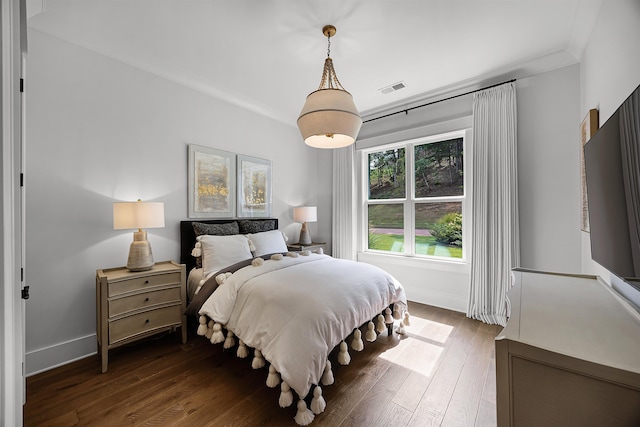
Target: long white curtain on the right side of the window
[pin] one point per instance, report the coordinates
(495, 245)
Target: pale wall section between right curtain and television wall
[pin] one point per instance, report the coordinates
(549, 170)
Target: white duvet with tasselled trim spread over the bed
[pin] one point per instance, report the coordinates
(300, 363)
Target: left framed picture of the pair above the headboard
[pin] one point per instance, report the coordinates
(212, 175)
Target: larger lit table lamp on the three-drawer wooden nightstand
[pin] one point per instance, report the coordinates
(128, 215)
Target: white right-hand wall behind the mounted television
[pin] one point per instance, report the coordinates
(609, 72)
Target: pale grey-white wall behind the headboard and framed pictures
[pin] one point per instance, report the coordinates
(100, 131)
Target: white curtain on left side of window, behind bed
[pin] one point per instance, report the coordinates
(344, 203)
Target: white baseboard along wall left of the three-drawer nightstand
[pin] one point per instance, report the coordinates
(46, 358)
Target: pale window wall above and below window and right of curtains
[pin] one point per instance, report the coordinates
(548, 183)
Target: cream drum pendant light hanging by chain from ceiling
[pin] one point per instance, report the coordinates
(329, 118)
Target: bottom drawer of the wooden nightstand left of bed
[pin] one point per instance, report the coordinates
(143, 322)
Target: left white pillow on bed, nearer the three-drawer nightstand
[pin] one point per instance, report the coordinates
(219, 252)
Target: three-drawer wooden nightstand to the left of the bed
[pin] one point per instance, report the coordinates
(134, 305)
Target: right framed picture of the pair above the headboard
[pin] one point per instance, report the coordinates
(254, 187)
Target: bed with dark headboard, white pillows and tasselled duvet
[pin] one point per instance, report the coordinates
(285, 310)
